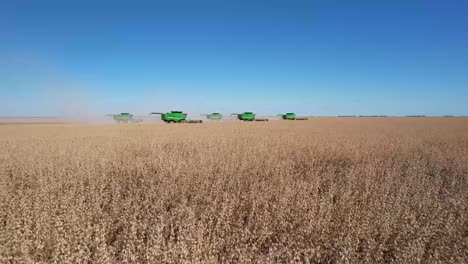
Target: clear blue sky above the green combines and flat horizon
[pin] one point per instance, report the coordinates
(323, 57)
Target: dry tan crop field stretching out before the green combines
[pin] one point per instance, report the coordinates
(327, 190)
